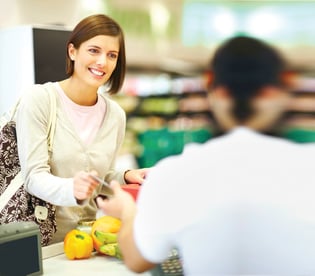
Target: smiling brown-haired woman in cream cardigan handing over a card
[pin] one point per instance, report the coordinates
(89, 129)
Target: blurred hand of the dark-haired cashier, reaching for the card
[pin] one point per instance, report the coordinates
(121, 205)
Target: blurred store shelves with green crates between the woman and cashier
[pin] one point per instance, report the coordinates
(164, 113)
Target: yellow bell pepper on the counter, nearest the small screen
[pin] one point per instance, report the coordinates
(78, 245)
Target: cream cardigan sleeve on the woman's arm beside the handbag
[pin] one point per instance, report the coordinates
(31, 127)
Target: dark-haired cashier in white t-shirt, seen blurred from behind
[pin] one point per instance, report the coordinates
(241, 203)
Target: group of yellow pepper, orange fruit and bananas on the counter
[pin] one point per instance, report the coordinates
(103, 239)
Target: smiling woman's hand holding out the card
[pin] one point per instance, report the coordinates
(84, 185)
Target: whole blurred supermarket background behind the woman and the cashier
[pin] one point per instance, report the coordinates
(168, 45)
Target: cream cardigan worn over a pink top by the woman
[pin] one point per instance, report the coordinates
(53, 180)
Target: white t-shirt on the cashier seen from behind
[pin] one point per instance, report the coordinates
(243, 203)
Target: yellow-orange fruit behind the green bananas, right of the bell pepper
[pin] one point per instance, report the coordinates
(106, 224)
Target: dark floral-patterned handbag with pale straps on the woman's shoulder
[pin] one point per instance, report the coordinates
(16, 204)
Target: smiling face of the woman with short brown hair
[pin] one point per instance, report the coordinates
(95, 59)
